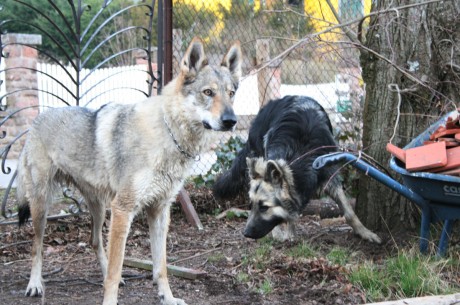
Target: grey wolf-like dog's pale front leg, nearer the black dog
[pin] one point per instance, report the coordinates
(158, 219)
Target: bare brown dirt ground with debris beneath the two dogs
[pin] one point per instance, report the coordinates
(234, 272)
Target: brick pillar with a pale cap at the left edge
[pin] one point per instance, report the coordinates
(20, 58)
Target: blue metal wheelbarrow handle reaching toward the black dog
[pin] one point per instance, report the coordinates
(369, 170)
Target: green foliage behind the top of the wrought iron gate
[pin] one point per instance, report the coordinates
(64, 27)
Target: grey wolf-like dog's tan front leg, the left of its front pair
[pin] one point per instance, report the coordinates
(119, 229)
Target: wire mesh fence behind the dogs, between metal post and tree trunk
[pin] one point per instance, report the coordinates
(290, 48)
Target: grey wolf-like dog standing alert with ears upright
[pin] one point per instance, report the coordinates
(129, 157)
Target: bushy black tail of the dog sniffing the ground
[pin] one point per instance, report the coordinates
(234, 181)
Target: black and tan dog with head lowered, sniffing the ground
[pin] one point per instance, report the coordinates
(285, 138)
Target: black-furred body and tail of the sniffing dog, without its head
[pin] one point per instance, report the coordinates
(294, 128)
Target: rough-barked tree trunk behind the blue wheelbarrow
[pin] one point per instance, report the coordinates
(423, 42)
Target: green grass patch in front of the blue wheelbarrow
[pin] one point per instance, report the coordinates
(405, 276)
